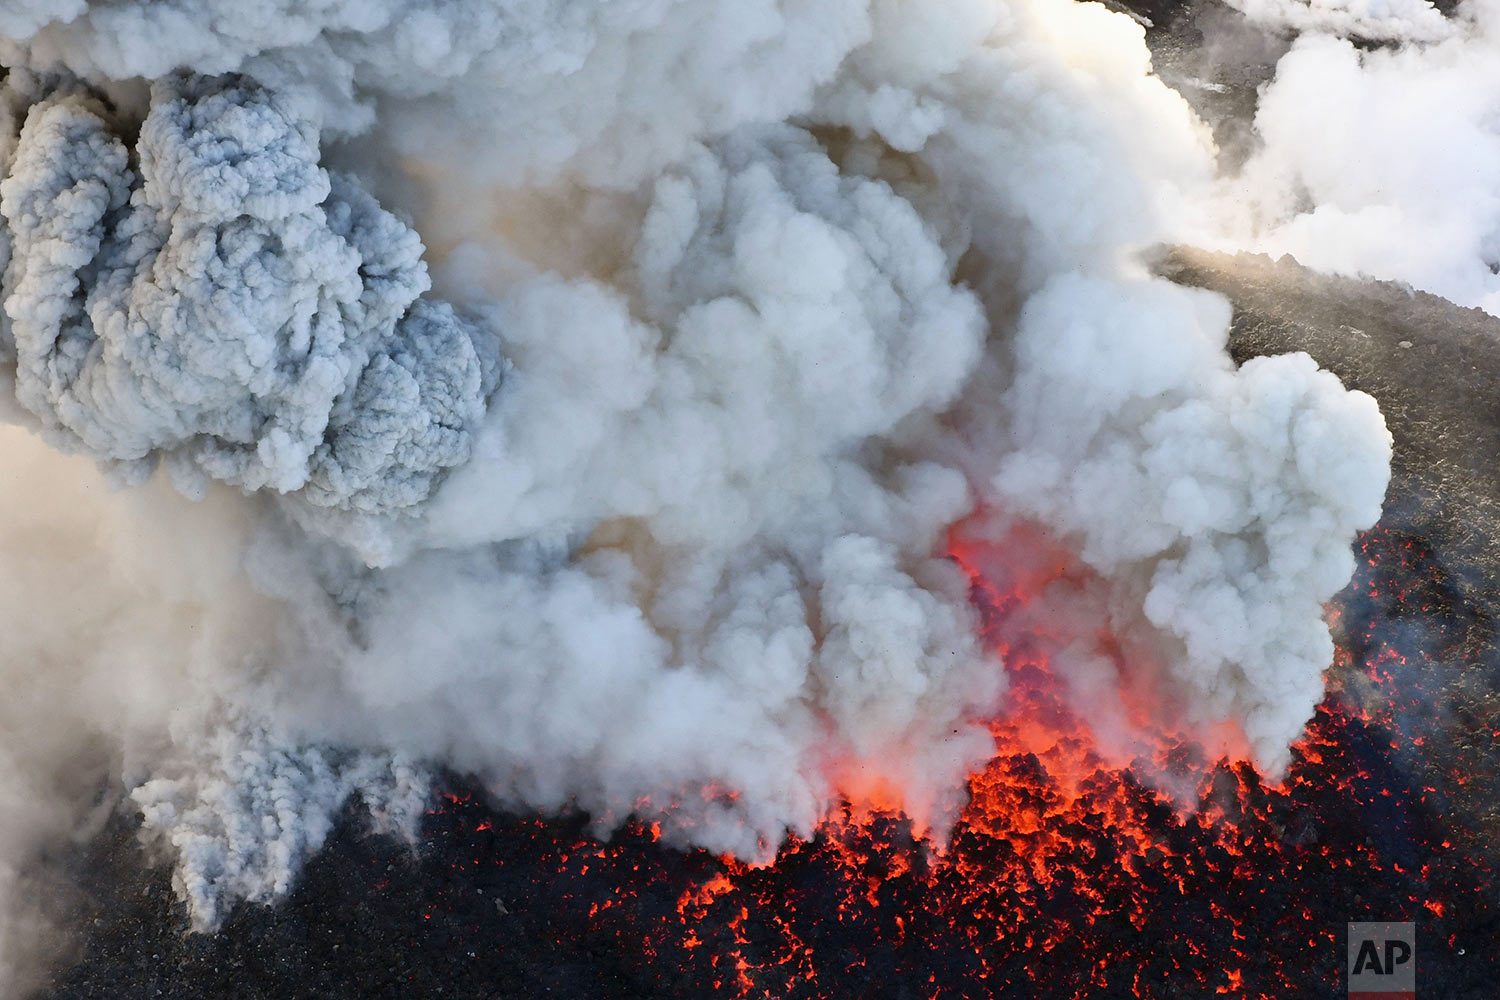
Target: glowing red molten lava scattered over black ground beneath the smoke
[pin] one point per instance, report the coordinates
(1069, 873)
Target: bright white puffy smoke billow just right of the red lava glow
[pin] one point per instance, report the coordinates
(1223, 500)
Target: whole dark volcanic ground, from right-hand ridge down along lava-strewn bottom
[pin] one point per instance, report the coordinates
(1388, 813)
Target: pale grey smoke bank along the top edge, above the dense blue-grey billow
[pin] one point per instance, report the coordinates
(524, 91)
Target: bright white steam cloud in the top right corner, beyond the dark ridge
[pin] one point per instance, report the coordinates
(1385, 163)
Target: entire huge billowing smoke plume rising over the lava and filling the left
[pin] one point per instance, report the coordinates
(743, 308)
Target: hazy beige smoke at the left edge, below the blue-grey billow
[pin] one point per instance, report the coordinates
(128, 615)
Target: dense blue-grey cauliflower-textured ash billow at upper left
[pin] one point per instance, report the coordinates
(214, 299)
